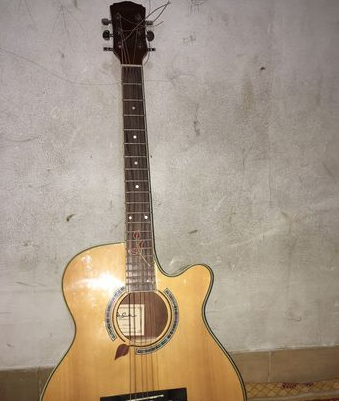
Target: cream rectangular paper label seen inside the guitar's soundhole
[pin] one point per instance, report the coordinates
(131, 319)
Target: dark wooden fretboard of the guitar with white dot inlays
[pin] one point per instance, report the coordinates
(140, 272)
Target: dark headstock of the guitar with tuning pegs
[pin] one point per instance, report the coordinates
(129, 32)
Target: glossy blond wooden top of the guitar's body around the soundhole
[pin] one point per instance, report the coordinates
(191, 358)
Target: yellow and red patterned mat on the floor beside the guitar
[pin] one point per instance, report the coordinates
(327, 390)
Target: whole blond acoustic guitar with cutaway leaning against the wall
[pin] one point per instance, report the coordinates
(141, 334)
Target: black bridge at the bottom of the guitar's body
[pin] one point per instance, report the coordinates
(177, 394)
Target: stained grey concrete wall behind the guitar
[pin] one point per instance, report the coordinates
(243, 120)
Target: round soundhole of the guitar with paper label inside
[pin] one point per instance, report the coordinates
(142, 317)
